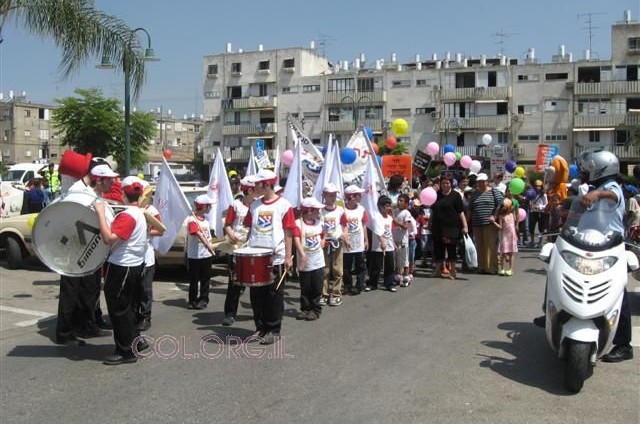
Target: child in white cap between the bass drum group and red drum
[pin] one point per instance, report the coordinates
(200, 253)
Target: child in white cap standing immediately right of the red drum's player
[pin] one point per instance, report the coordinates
(309, 239)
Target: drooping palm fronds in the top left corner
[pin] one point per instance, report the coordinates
(81, 31)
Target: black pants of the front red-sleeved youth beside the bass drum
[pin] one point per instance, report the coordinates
(120, 284)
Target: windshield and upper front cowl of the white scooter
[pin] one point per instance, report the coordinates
(589, 229)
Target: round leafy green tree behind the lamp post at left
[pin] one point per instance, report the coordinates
(93, 123)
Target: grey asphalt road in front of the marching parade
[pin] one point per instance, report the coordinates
(439, 351)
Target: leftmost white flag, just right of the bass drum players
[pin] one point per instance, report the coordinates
(173, 206)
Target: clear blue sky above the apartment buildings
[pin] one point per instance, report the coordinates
(183, 32)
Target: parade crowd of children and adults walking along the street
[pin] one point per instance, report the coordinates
(333, 248)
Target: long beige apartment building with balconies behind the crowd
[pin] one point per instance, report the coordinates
(572, 103)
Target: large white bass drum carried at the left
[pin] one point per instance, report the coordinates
(66, 235)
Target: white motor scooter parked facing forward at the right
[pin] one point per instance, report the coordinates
(586, 277)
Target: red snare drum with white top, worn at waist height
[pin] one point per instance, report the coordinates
(253, 266)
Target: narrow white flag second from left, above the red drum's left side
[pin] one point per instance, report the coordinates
(220, 192)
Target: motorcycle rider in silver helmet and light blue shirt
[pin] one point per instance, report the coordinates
(602, 169)
